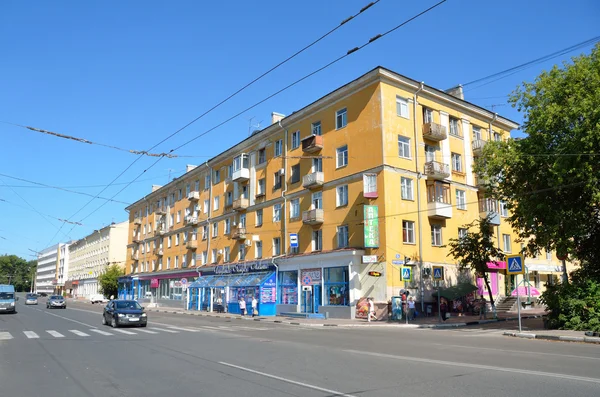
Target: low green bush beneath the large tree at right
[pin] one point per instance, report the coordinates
(574, 306)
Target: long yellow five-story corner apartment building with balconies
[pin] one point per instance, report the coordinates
(330, 197)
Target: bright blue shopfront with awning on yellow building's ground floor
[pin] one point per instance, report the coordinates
(220, 288)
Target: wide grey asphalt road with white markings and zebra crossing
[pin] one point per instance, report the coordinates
(69, 353)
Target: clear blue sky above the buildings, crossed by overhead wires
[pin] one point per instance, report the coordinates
(129, 73)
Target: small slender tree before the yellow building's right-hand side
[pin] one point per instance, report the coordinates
(476, 249)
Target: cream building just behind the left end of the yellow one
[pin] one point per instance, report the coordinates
(90, 256)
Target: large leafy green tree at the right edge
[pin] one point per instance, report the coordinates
(550, 179)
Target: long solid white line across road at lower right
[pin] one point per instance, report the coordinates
(478, 366)
